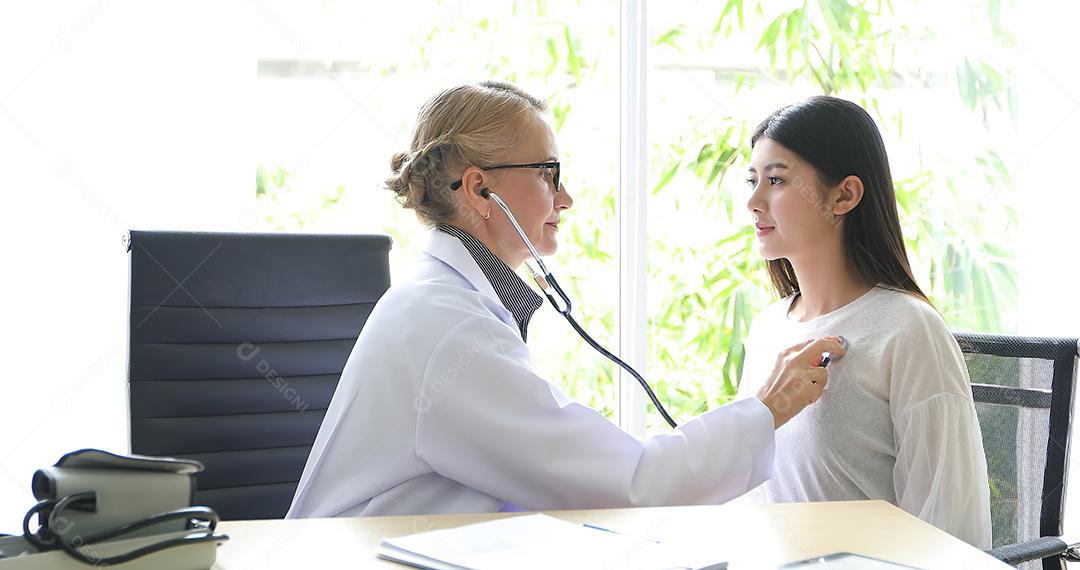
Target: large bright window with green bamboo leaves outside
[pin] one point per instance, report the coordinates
(335, 104)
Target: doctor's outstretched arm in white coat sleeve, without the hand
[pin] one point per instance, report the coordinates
(493, 424)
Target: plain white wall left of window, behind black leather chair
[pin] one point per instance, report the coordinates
(113, 116)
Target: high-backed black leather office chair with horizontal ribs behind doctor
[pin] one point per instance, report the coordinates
(237, 343)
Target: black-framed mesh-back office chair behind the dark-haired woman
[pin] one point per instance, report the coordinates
(1024, 389)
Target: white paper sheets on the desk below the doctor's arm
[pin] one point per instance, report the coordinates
(533, 541)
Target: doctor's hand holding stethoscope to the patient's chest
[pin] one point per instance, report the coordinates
(799, 379)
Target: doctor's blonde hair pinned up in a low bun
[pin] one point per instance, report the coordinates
(461, 127)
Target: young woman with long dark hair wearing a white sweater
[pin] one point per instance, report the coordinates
(897, 422)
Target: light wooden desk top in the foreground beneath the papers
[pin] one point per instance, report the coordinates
(749, 536)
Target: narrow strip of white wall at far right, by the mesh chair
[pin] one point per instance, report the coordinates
(1050, 205)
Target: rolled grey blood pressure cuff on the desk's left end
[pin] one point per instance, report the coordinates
(128, 488)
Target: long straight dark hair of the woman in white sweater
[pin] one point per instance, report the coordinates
(840, 140)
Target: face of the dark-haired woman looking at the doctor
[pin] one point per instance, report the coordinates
(787, 202)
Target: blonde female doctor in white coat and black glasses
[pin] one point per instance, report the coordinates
(439, 409)
